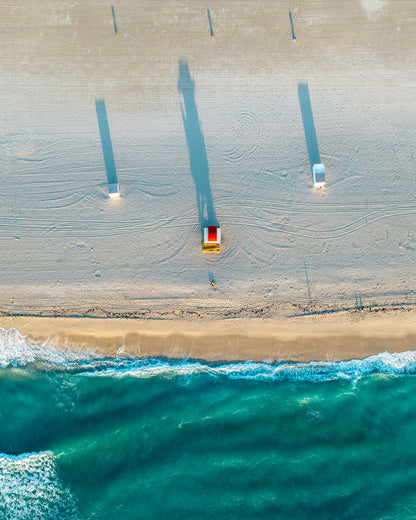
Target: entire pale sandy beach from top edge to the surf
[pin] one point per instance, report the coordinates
(209, 114)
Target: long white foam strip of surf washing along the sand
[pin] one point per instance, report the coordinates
(16, 350)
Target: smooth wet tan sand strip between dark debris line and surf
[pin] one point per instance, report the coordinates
(328, 337)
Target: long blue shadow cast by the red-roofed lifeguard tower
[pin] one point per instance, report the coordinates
(196, 145)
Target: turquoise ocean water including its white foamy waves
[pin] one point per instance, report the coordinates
(162, 439)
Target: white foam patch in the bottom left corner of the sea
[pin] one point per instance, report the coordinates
(30, 489)
